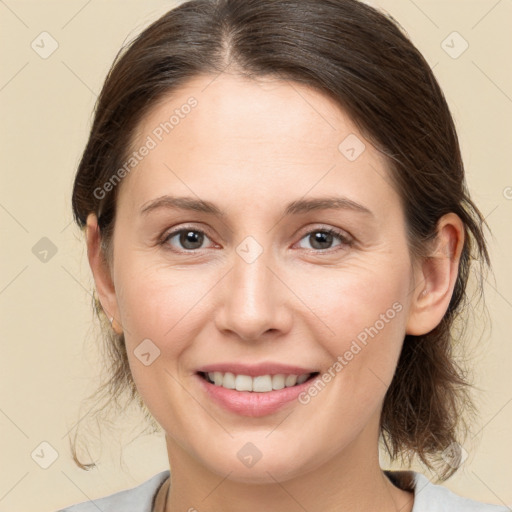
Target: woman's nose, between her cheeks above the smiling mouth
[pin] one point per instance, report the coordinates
(254, 304)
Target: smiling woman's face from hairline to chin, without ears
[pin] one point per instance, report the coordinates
(285, 255)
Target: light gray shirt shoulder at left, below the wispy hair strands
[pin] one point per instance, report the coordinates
(137, 499)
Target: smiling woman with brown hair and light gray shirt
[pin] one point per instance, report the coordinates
(280, 235)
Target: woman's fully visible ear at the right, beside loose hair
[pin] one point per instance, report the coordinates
(435, 277)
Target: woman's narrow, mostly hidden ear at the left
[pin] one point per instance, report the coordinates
(101, 273)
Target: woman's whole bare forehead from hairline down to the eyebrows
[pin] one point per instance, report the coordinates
(266, 137)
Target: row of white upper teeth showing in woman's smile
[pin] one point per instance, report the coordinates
(259, 384)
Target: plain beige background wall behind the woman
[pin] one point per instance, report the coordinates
(49, 361)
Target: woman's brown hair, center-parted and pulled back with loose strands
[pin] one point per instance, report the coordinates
(362, 59)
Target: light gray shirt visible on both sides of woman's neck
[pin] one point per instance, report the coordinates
(428, 497)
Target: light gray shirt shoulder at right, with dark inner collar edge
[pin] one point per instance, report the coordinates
(429, 497)
